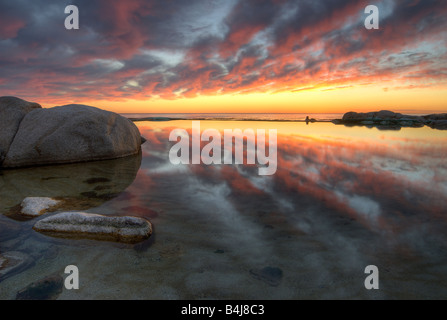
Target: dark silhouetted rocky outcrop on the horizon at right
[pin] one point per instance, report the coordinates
(388, 120)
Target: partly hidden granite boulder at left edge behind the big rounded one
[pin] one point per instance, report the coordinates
(12, 111)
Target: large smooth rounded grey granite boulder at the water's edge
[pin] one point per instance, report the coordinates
(68, 134)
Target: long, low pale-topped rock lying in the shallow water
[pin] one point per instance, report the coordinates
(94, 226)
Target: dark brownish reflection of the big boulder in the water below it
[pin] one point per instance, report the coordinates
(69, 183)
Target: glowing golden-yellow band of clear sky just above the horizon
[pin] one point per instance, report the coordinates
(323, 100)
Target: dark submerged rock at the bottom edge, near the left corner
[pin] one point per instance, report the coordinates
(48, 288)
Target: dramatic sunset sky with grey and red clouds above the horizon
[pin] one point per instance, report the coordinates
(254, 56)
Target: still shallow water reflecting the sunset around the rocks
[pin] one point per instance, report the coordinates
(340, 200)
